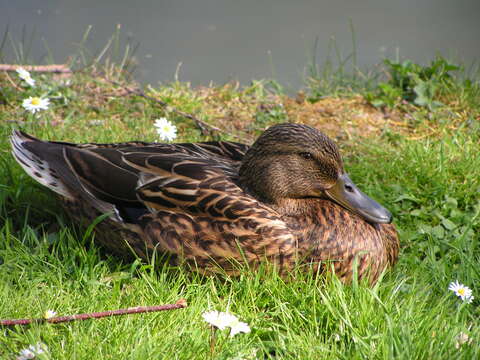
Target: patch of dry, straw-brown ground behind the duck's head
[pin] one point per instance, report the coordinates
(340, 118)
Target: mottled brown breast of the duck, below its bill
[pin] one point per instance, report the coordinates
(333, 236)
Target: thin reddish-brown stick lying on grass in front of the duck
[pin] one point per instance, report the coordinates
(180, 304)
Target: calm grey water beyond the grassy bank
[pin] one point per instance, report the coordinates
(222, 40)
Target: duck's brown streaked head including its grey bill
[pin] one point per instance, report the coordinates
(295, 161)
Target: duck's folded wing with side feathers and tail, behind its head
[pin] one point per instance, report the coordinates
(184, 196)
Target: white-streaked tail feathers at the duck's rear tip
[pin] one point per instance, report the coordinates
(26, 150)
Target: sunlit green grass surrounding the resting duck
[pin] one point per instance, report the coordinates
(430, 184)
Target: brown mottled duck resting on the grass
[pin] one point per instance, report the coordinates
(286, 198)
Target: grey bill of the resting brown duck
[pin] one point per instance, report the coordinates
(346, 193)
